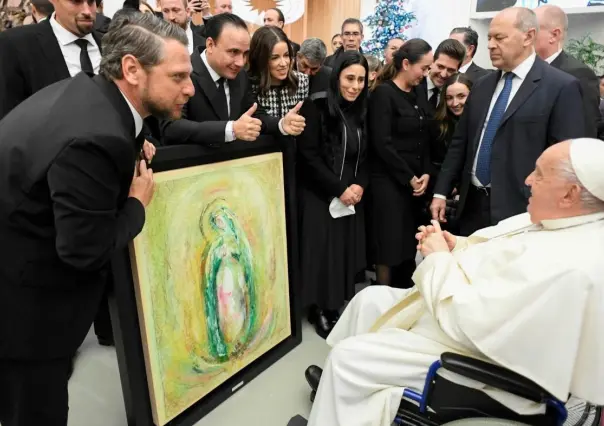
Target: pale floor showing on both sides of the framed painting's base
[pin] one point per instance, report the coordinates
(271, 399)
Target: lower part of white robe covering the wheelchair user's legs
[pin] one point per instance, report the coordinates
(365, 373)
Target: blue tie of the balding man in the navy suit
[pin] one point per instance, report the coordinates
(483, 163)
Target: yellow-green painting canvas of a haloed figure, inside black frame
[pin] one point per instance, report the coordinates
(211, 276)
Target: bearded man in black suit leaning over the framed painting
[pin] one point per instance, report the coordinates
(69, 202)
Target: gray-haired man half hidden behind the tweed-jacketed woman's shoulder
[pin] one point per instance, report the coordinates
(310, 61)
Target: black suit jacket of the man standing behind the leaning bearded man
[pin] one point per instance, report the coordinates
(30, 59)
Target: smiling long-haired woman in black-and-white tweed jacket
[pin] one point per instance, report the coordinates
(276, 86)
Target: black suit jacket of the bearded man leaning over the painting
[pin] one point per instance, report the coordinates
(67, 157)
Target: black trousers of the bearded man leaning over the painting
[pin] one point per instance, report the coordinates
(34, 392)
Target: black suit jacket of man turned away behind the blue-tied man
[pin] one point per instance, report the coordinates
(589, 88)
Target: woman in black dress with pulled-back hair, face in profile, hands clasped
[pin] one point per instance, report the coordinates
(400, 133)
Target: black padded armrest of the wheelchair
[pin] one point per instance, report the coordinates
(495, 376)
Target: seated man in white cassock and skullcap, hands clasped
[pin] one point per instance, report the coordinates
(527, 294)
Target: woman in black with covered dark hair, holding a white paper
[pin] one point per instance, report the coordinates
(332, 172)
